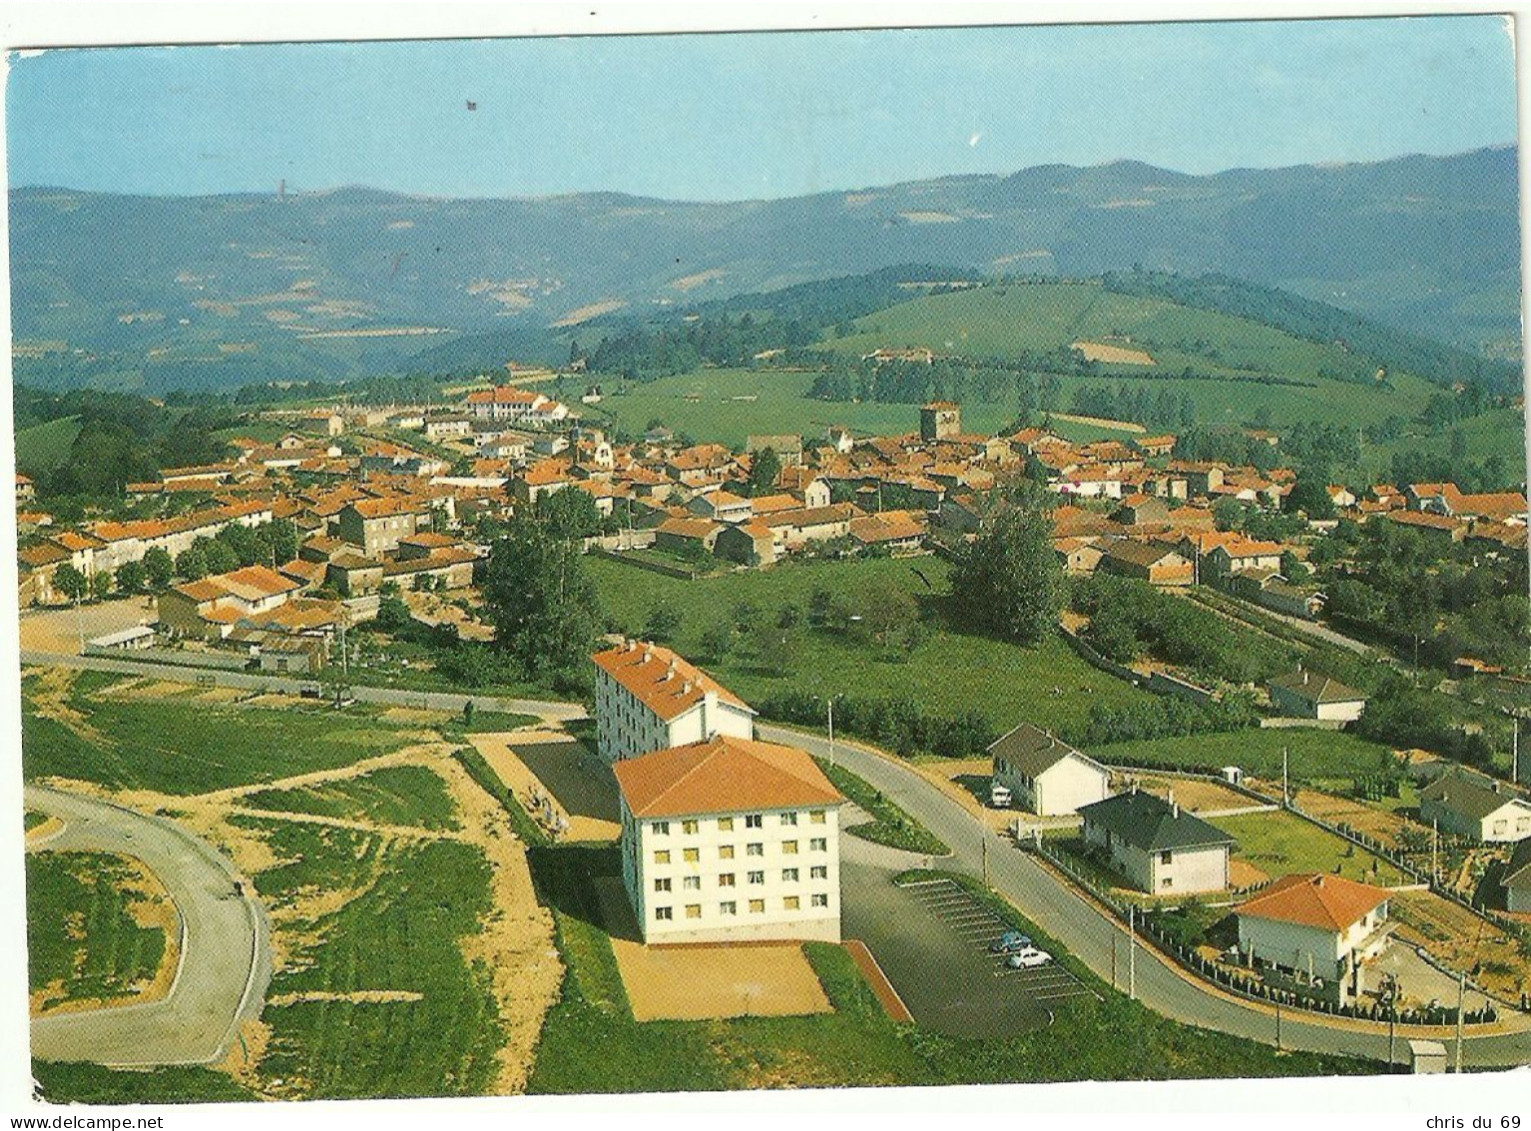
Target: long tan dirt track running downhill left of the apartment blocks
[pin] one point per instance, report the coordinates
(517, 942)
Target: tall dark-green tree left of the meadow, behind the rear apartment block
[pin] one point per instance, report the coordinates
(540, 601)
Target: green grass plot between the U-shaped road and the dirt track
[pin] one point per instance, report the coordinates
(411, 905)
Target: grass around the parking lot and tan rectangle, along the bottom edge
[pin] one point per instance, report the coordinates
(592, 1045)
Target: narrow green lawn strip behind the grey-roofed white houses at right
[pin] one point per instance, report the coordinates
(1311, 754)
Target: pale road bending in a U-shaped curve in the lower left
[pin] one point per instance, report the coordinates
(226, 953)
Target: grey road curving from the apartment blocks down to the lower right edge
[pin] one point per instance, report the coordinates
(1092, 936)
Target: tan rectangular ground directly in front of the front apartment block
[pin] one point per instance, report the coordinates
(703, 983)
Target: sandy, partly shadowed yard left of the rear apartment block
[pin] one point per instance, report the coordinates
(555, 766)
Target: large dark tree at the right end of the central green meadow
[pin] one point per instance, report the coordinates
(1010, 582)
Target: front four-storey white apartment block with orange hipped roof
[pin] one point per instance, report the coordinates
(731, 841)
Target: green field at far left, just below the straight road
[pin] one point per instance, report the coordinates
(188, 748)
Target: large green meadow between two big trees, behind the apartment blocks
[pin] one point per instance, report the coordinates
(948, 674)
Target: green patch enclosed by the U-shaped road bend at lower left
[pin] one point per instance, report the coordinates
(82, 940)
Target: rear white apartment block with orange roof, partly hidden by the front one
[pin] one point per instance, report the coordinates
(650, 699)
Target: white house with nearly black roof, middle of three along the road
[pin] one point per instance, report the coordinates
(1157, 846)
